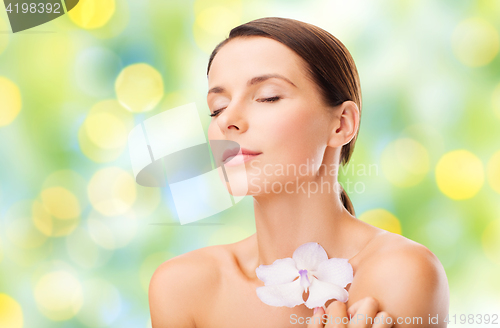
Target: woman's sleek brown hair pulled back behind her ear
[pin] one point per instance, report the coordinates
(328, 61)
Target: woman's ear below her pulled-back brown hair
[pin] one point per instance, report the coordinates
(345, 124)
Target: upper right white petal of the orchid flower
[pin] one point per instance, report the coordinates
(335, 271)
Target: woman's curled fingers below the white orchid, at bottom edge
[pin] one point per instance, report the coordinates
(361, 314)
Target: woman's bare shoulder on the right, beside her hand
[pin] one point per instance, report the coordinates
(407, 279)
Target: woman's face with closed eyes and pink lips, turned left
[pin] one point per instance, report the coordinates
(265, 101)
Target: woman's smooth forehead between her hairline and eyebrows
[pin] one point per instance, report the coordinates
(245, 57)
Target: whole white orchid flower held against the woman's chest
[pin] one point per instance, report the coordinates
(324, 278)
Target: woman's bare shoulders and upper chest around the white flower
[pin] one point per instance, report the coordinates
(215, 286)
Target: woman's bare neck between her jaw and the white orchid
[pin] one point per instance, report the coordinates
(285, 221)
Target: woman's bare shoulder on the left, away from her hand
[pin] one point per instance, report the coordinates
(179, 285)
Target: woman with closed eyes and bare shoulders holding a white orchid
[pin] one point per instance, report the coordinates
(289, 94)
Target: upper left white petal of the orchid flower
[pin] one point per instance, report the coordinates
(280, 272)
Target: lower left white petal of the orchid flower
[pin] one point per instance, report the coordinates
(289, 294)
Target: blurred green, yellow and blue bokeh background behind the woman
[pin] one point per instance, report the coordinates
(430, 74)
